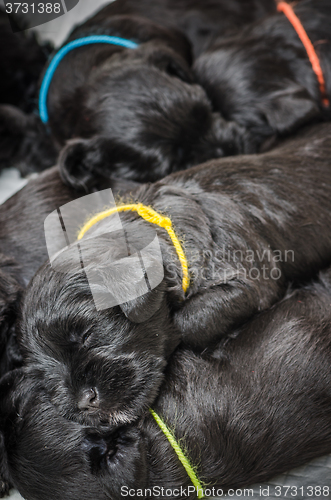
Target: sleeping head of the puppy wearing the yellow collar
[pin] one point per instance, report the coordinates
(98, 365)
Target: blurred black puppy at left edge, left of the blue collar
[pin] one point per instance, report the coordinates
(24, 141)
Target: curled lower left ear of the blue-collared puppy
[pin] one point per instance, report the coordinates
(84, 162)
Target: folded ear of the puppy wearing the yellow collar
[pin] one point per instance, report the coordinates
(144, 307)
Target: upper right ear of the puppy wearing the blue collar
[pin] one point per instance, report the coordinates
(172, 64)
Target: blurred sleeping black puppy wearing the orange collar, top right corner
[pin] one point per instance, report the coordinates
(261, 77)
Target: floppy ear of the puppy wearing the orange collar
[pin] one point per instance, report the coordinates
(290, 109)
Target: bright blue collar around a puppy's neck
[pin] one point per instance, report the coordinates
(88, 40)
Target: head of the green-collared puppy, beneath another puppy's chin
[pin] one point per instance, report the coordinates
(46, 456)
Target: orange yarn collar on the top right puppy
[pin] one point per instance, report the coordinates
(313, 57)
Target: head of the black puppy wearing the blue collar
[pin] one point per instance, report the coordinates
(140, 117)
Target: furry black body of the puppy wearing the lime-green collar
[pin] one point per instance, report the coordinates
(271, 409)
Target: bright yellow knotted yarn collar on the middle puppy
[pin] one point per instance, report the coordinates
(149, 215)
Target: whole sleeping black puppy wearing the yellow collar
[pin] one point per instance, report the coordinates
(248, 225)
